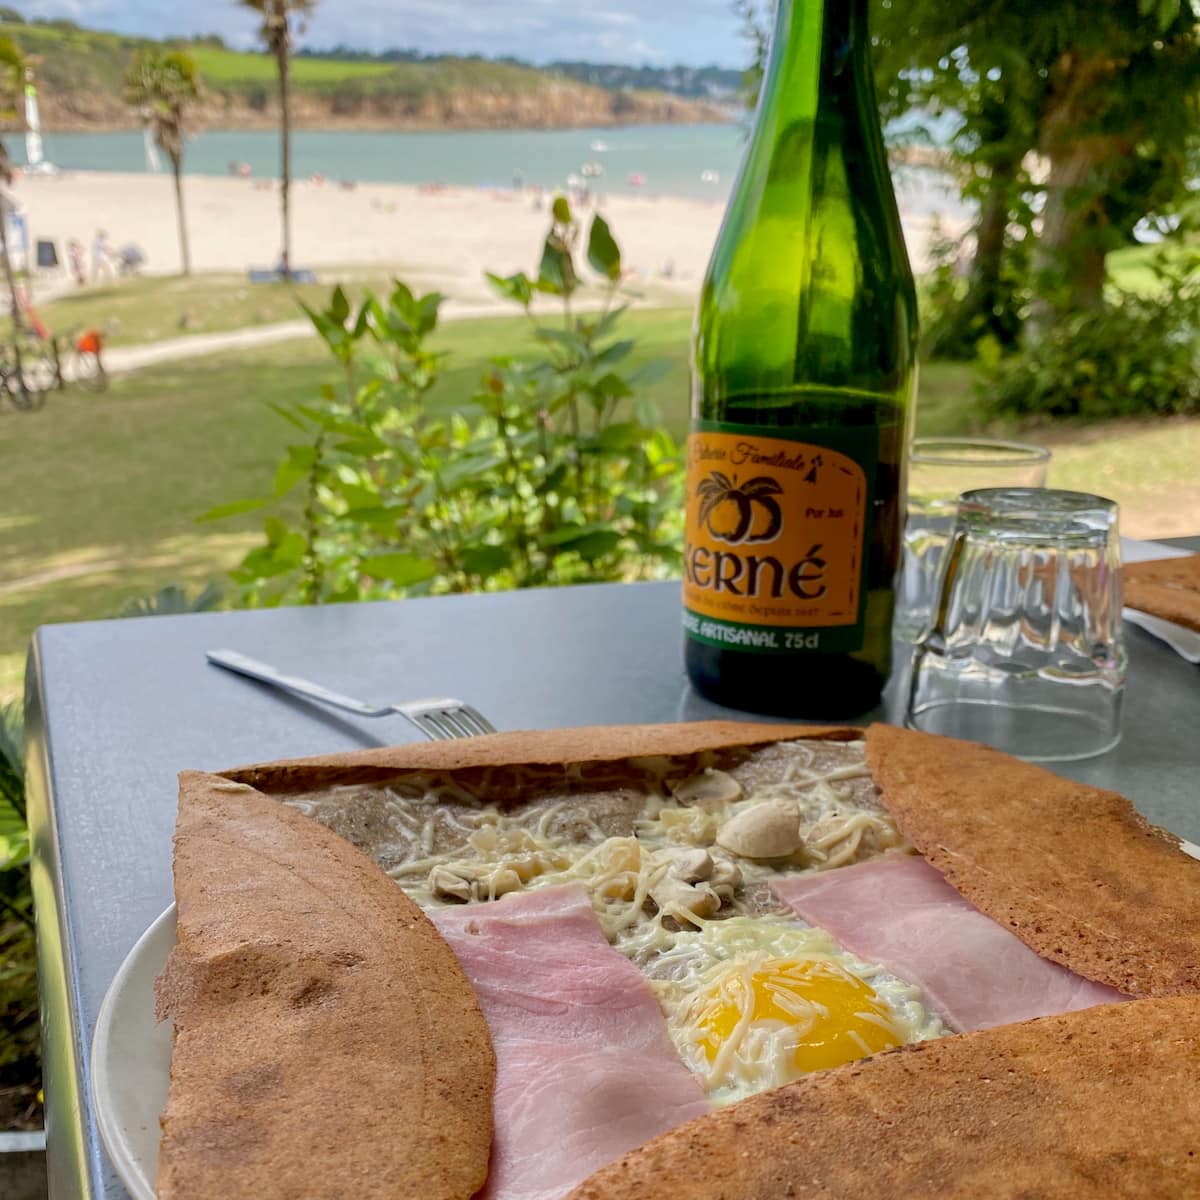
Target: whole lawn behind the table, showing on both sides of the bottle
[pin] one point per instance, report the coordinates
(99, 495)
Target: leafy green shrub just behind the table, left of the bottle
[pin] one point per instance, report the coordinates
(553, 472)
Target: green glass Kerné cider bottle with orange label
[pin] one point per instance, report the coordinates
(803, 383)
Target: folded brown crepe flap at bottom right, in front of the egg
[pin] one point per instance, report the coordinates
(1089, 1106)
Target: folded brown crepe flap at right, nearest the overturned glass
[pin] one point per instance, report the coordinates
(1075, 872)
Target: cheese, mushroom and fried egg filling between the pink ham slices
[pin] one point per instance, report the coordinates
(645, 841)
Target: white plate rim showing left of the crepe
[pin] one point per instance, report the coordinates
(131, 1063)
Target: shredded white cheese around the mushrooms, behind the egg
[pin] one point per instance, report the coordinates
(494, 850)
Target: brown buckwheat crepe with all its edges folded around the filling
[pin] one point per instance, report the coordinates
(319, 933)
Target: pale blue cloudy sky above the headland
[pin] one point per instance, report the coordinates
(657, 33)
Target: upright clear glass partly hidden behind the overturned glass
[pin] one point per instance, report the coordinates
(941, 470)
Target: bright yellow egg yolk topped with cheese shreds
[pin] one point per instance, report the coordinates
(833, 1017)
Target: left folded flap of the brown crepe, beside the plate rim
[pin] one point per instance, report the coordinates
(327, 1041)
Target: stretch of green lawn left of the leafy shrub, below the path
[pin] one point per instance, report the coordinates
(100, 493)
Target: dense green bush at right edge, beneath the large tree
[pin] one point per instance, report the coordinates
(1138, 357)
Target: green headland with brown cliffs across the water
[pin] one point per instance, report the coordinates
(81, 74)
